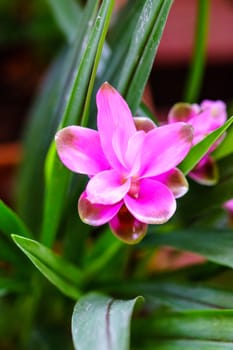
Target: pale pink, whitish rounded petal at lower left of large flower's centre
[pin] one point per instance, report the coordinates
(107, 187)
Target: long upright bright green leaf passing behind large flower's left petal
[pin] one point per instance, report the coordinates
(76, 110)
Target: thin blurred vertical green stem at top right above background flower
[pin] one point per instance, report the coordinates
(194, 80)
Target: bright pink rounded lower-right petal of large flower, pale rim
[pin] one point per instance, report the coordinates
(155, 203)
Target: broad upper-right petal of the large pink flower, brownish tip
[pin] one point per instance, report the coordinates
(165, 147)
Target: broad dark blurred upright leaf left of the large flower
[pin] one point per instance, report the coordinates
(44, 119)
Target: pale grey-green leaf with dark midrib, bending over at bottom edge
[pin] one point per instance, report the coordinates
(102, 323)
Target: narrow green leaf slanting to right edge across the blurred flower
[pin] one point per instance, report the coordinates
(200, 149)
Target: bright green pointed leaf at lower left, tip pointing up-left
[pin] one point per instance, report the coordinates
(65, 276)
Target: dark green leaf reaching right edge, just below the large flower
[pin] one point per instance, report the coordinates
(215, 245)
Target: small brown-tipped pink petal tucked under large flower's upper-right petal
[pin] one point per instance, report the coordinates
(175, 180)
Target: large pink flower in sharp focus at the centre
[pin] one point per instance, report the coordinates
(131, 165)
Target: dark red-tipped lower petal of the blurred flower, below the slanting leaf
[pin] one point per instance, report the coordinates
(205, 172)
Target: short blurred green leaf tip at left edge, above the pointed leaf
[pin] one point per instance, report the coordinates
(10, 222)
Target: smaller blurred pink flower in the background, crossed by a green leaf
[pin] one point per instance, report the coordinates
(204, 118)
